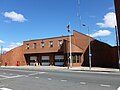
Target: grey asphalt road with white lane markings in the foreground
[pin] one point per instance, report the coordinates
(13, 79)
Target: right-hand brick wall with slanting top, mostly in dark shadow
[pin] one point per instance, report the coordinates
(103, 55)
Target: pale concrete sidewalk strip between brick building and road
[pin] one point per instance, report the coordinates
(93, 69)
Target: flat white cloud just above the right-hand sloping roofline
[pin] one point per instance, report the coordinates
(101, 33)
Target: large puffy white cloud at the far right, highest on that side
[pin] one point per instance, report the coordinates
(109, 21)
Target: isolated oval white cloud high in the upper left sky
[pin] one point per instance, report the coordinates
(15, 16)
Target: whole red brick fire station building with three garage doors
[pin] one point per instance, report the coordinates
(55, 51)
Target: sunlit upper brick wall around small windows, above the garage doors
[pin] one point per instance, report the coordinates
(46, 49)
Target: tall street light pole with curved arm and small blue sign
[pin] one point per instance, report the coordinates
(90, 55)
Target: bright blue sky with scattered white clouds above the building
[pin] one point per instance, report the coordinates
(22, 20)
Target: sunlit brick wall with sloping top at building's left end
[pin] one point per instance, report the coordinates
(13, 56)
